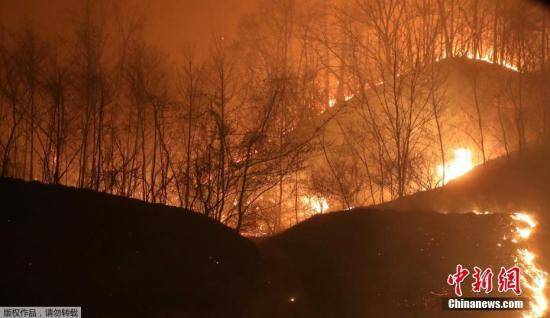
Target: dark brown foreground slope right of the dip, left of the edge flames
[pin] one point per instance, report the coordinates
(372, 263)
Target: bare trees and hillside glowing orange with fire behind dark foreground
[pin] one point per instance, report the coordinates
(313, 106)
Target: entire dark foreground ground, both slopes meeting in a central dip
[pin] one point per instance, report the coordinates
(116, 256)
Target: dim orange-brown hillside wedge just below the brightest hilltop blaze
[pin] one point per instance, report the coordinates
(508, 183)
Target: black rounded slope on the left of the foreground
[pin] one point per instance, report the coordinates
(118, 257)
